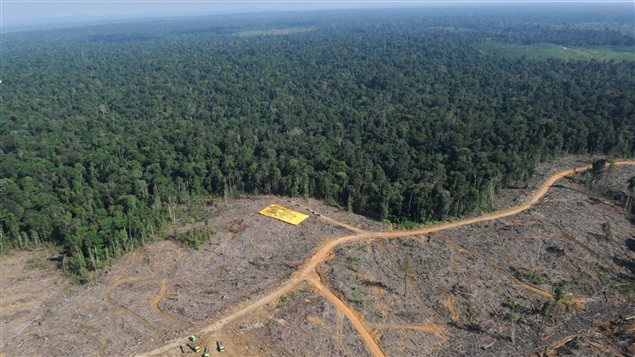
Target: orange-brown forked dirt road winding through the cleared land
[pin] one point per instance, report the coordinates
(308, 271)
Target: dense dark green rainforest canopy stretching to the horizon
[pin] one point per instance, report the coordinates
(392, 114)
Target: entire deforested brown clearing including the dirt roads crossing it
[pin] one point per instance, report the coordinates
(254, 286)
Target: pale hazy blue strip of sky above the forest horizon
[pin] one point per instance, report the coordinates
(38, 12)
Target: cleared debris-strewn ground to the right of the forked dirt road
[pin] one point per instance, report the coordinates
(465, 281)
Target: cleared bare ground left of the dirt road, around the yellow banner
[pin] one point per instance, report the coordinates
(162, 290)
